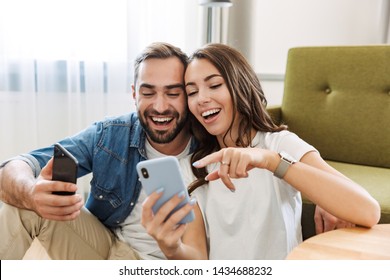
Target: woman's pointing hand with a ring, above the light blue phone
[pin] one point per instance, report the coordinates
(235, 163)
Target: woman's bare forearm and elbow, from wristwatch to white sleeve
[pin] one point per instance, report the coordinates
(333, 191)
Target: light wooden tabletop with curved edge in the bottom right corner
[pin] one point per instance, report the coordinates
(349, 243)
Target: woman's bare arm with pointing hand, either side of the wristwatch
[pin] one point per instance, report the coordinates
(312, 176)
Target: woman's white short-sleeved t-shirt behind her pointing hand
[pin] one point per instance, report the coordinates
(262, 218)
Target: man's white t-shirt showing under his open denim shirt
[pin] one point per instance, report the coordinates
(131, 230)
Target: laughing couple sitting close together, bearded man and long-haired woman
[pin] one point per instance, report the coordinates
(247, 173)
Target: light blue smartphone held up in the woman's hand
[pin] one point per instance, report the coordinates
(164, 173)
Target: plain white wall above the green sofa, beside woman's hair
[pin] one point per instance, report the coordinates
(265, 30)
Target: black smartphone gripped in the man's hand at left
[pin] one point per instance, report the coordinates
(64, 167)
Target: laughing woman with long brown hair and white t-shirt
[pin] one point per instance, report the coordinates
(254, 211)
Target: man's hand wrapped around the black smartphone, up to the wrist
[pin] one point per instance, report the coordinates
(51, 206)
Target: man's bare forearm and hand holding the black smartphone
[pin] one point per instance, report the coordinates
(19, 187)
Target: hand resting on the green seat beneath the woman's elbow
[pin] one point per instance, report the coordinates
(325, 221)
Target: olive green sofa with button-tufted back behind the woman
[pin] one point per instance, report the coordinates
(337, 98)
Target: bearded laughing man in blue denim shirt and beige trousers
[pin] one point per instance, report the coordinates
(110, 150)
